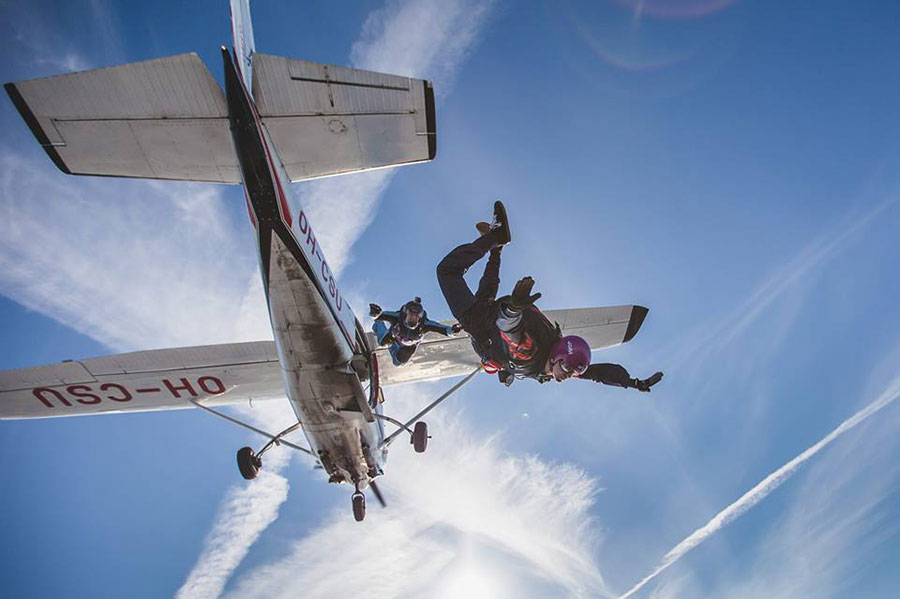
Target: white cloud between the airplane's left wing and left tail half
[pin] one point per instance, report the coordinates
(164, 261)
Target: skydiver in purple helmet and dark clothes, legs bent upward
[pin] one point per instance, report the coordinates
(510, 335)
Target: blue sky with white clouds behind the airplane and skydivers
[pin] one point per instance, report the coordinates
(731, 165)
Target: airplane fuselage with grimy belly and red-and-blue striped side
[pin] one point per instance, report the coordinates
(317, 335)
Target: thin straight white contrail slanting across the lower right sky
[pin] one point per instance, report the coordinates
(766, 486)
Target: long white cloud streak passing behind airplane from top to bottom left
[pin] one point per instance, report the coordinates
(438, 35)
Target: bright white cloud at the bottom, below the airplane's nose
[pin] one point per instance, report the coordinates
(463, 491)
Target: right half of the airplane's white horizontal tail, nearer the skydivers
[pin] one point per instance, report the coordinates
(328, 120)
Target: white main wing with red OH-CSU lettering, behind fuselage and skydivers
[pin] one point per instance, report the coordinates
(242, 373)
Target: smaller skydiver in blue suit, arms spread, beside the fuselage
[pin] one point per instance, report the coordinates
(405, 328)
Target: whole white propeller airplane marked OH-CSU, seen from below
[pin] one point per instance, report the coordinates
(279, 120)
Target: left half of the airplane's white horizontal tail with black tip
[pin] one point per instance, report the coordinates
(158, 119)
